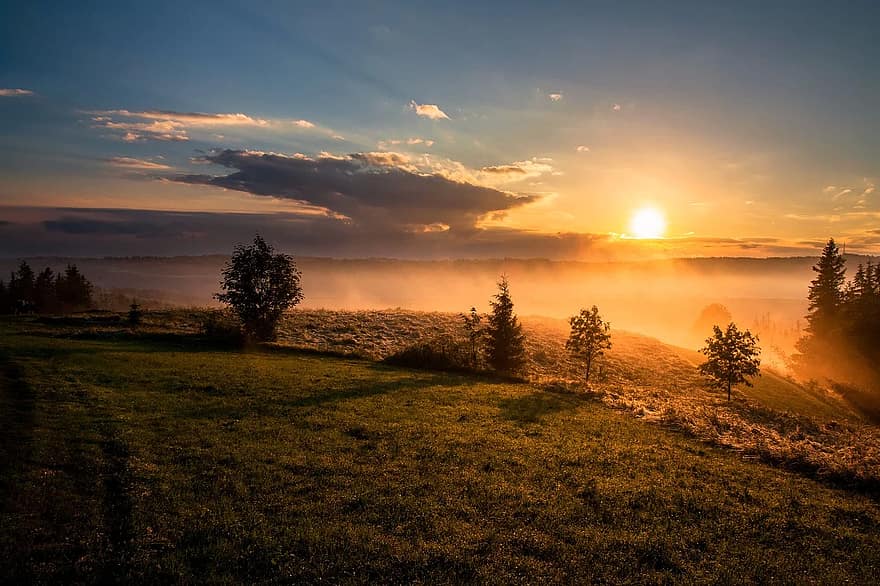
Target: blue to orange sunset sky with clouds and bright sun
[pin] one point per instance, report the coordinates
(566, 130)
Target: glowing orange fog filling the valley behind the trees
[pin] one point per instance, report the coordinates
(658, 298)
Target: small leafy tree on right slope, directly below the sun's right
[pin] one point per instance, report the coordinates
(732, 356)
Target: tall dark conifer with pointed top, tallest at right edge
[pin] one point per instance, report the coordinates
(826, 290)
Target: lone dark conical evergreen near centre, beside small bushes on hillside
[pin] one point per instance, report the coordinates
(505, 350)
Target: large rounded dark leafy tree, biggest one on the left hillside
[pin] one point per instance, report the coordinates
(260, 285)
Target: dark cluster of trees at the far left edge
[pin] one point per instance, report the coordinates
(45, 292)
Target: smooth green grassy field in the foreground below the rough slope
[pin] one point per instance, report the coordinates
(159, 457)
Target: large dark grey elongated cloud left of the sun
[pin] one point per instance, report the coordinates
(382, 191)
